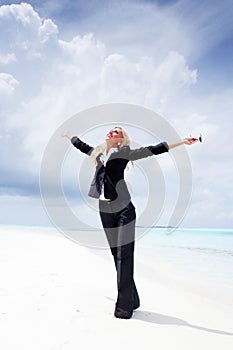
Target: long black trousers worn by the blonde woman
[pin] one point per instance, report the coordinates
(119, 227)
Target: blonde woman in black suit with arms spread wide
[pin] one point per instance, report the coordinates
(117, 212)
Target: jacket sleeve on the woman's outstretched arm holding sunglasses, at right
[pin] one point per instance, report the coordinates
(147, 151)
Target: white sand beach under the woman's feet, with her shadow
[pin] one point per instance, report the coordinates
(56, 294)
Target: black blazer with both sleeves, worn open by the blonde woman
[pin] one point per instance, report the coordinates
(112, 174)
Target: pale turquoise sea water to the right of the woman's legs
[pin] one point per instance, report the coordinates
(203, 255)
